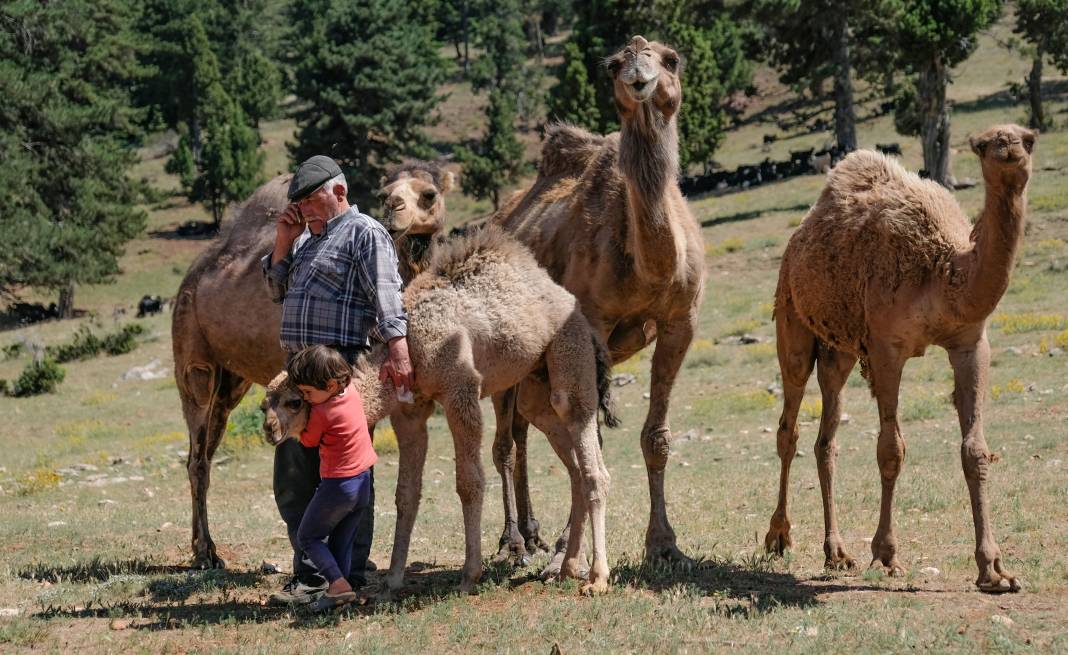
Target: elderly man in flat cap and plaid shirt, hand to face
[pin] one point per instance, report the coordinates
(335, 272)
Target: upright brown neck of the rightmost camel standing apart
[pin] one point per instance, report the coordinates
(996, 241)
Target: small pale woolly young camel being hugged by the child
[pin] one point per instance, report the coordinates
(481, 319)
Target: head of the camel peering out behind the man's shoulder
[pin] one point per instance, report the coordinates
(413, 197)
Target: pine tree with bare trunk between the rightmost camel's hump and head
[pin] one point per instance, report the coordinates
(936, 36)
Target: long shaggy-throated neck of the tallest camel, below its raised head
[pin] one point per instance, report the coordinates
(649, 161)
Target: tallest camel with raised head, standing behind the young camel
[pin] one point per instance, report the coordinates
(607, 220)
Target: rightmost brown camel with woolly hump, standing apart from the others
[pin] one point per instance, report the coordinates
(885, 266)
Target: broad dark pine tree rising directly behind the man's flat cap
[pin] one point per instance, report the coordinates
(370, 79)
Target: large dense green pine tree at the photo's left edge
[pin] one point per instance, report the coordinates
(68, 128)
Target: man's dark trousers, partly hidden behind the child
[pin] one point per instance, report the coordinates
(296, 477)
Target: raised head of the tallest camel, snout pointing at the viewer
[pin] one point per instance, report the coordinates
(647, 73)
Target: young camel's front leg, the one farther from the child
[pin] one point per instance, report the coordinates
(465, 423)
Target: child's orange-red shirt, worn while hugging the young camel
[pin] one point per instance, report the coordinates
(340, 429)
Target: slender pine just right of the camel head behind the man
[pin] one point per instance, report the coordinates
(497, 161)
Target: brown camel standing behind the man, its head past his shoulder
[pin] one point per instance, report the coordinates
(219, 352)
